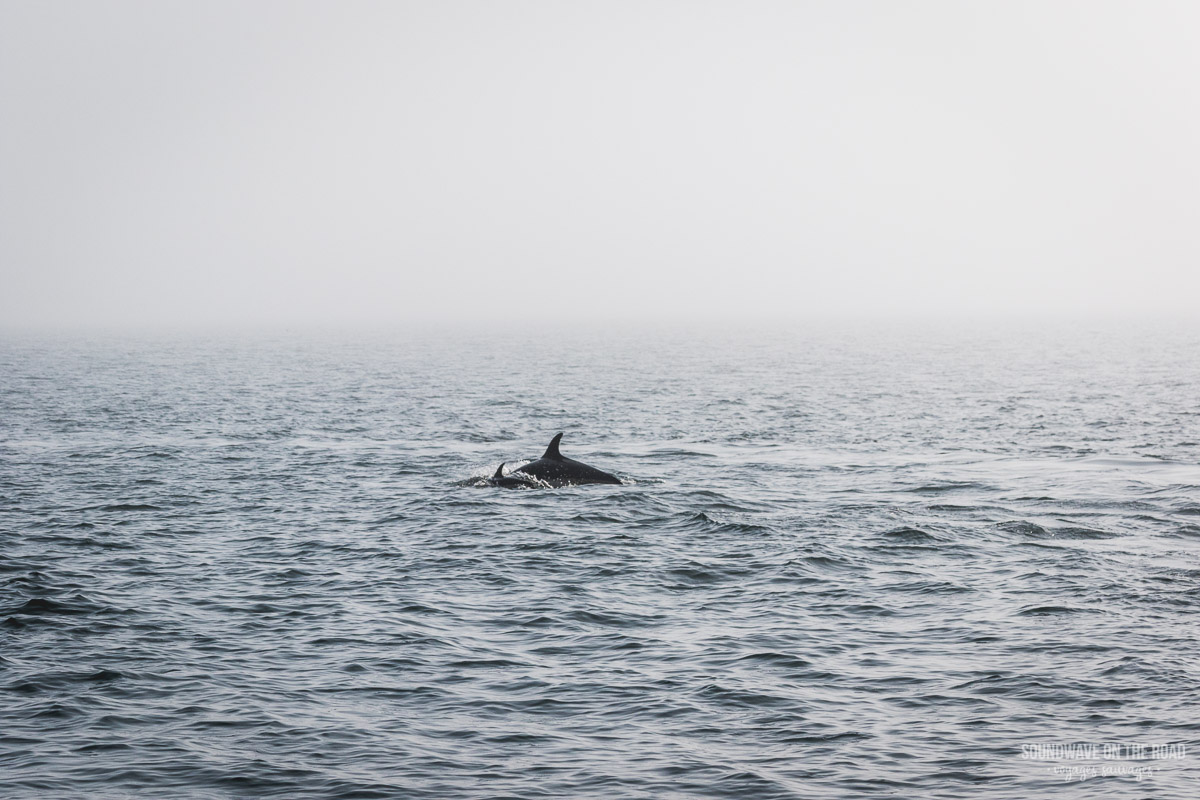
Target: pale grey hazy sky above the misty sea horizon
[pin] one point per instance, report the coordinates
(218, 164)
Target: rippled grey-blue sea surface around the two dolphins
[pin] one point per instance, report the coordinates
(896, 561)
